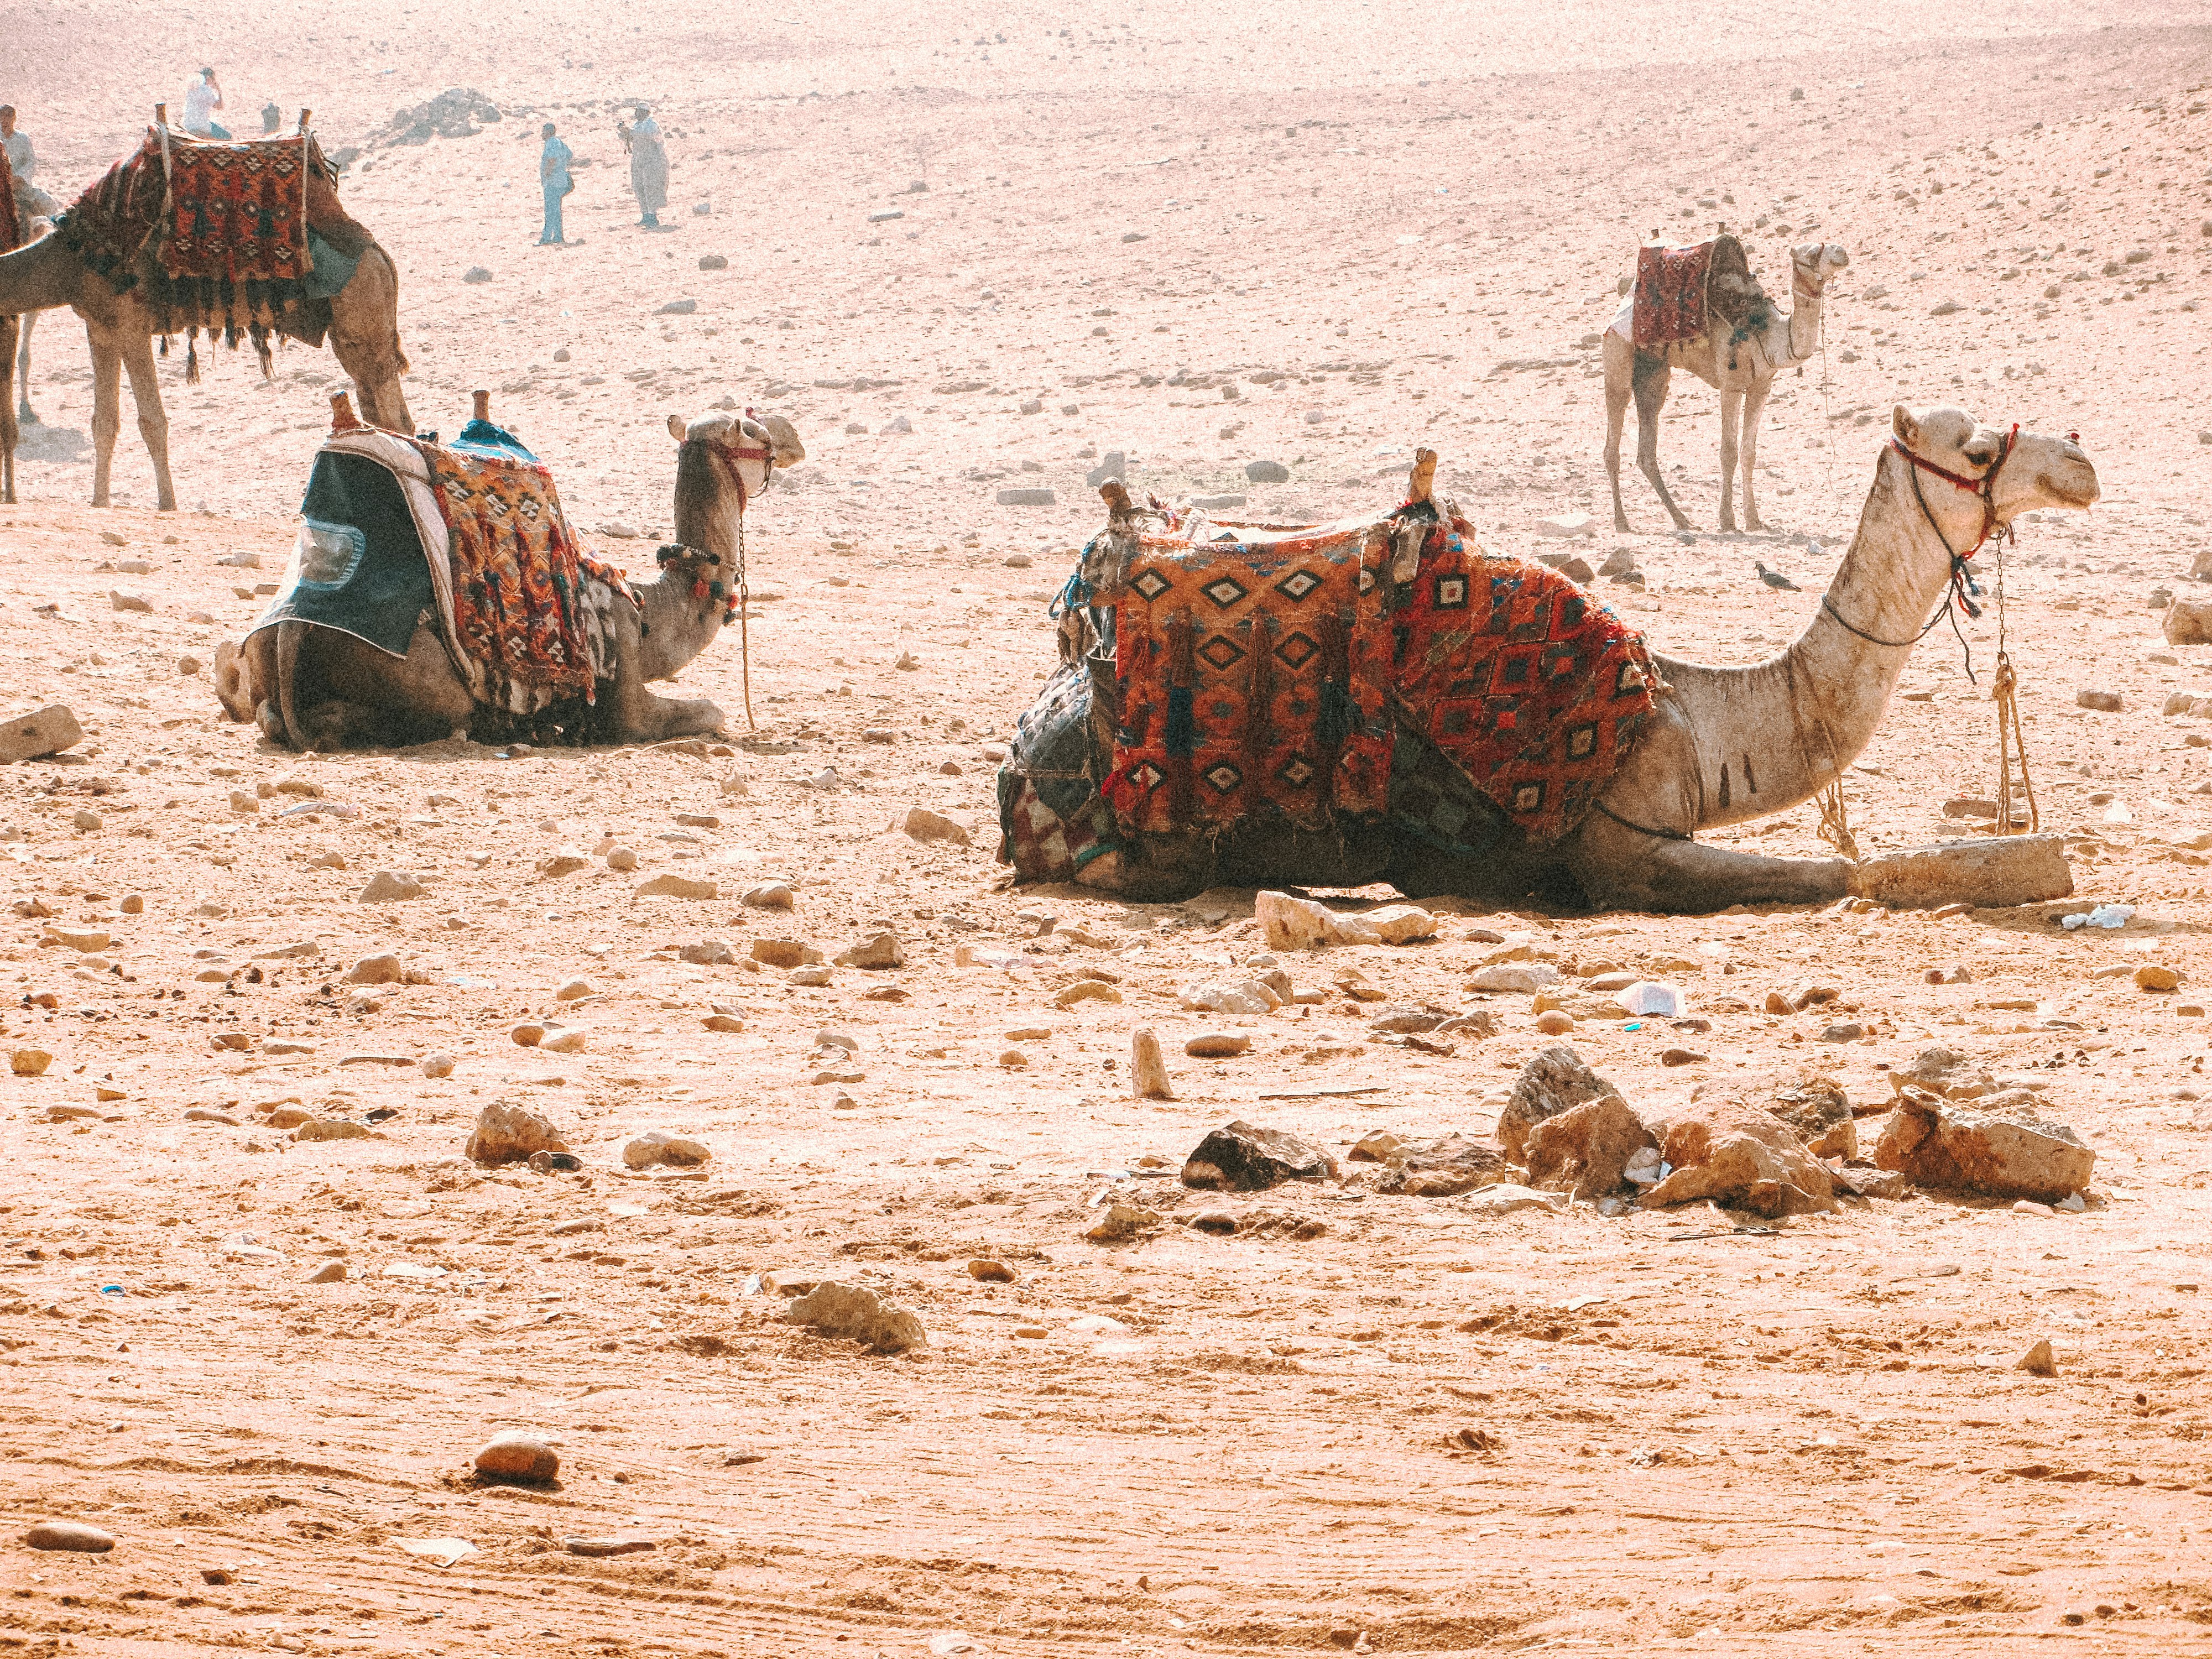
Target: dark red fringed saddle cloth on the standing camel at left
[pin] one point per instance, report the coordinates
(229, 229)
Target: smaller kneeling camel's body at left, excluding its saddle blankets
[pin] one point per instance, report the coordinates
(317, 689)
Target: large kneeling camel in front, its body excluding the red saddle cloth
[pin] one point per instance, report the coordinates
(1724, 744)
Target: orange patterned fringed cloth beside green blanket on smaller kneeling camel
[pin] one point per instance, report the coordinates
(525, 614)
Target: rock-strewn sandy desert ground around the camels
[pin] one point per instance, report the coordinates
(1198, 236)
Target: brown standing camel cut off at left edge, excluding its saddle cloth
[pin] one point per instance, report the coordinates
(362, 324)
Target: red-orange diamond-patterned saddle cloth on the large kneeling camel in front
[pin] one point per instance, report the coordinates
(1269, 669)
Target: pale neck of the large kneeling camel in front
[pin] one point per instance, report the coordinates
(1775, 733)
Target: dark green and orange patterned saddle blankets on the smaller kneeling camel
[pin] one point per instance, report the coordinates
(472, 536)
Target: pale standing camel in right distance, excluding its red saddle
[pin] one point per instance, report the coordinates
(1740, 362)
